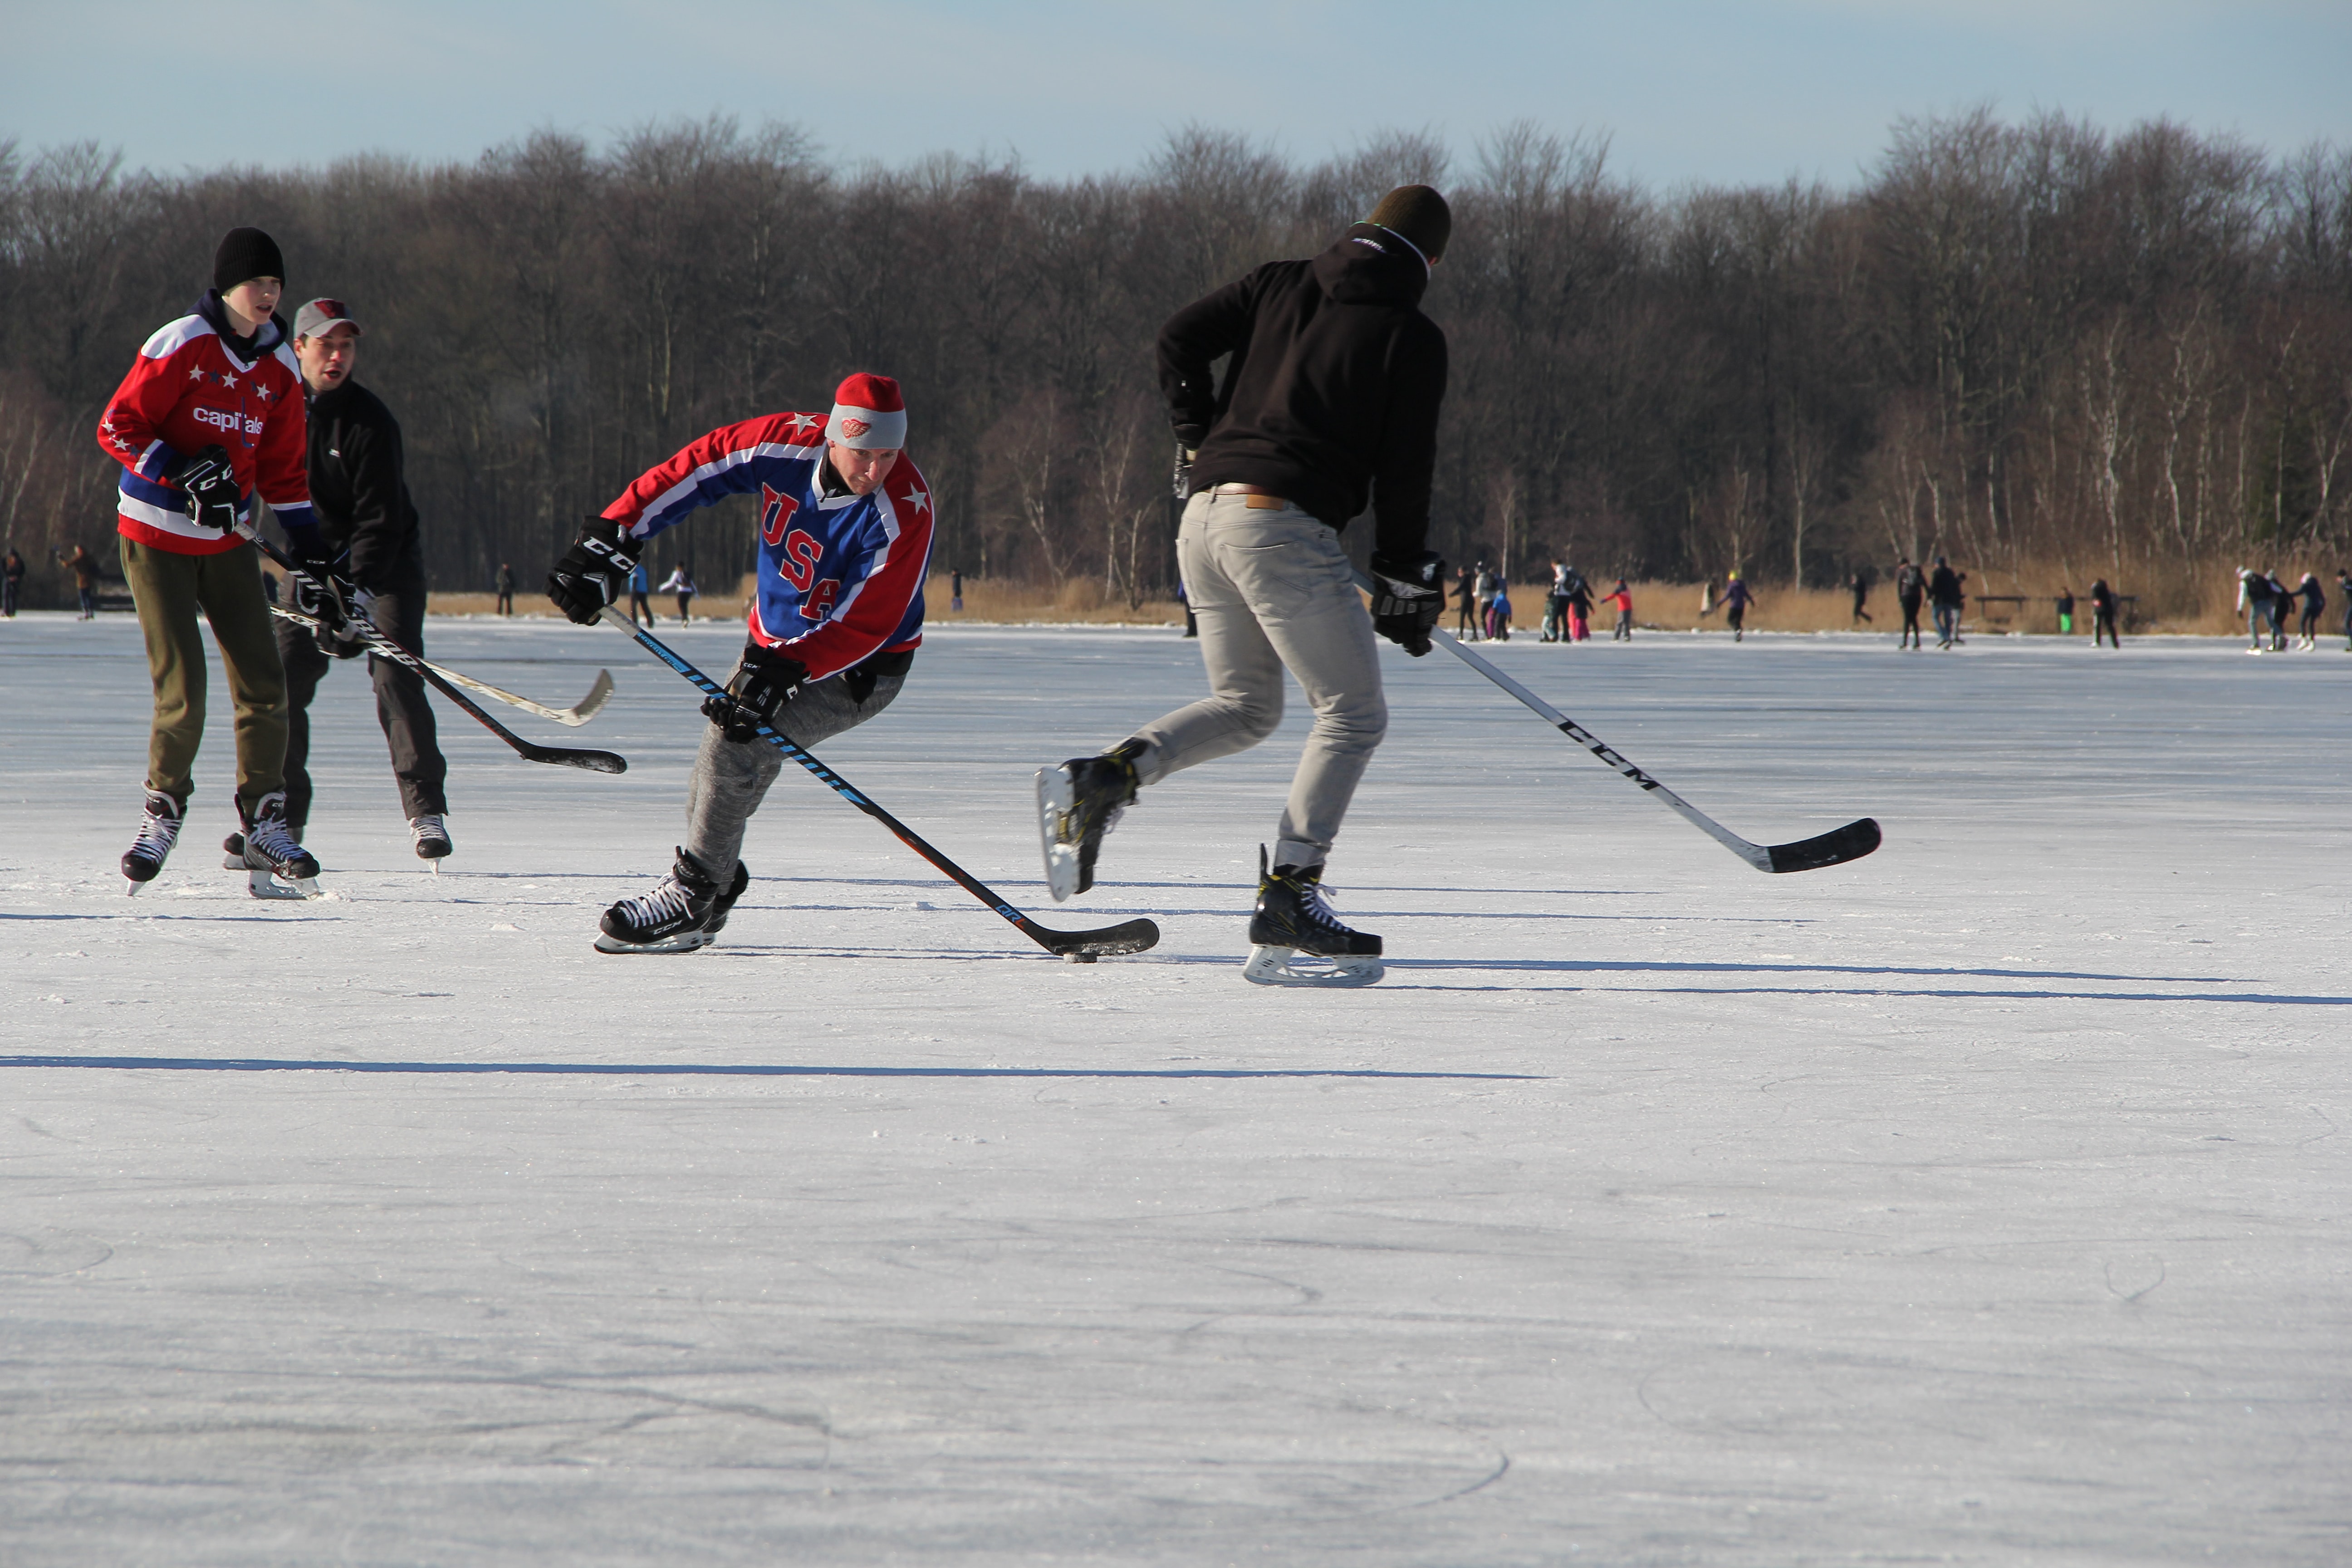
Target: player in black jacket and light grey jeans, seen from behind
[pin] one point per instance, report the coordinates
(1332, 394)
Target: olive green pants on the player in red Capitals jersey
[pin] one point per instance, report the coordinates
(227, 587)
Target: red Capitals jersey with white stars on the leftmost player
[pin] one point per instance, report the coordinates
(192, 391)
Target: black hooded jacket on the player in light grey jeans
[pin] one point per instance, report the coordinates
(1335, 384)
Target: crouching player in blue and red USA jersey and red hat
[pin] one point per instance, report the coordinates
(846, 540)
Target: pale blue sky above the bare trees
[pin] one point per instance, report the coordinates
(1699, 91)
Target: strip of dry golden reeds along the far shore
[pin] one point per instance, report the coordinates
(2165, 603)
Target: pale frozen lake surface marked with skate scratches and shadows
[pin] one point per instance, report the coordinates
(1982, 1202)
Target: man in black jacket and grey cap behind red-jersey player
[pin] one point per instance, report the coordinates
(370, 525)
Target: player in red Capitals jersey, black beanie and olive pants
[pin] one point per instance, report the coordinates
(208, 420)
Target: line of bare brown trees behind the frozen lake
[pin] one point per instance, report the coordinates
(2024, 344)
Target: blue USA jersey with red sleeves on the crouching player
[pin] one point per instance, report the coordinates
(841, 577)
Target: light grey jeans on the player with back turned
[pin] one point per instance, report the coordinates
(1274, 594)
